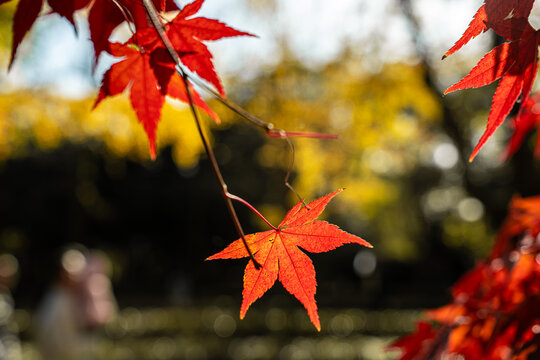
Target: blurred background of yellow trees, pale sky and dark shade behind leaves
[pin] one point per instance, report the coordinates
(75, 183)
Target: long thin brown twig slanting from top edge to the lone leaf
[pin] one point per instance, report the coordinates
(158, 25)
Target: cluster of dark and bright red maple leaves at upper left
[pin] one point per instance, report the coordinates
(145, 68)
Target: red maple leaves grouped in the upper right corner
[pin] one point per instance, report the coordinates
(514, 62)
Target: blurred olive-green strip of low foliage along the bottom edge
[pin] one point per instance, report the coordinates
(214, 332)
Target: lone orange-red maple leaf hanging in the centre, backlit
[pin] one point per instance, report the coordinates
(278, 252)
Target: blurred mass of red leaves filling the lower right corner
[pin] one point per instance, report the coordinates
(495, 312)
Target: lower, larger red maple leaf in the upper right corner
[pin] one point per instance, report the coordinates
(514, 62)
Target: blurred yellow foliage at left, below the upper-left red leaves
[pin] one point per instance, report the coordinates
(36, 118)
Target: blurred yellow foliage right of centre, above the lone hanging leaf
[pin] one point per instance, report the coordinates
(381, 120)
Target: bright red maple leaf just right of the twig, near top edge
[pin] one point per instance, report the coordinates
(187, 33)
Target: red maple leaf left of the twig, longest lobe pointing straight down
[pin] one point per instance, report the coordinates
(148, 82)
